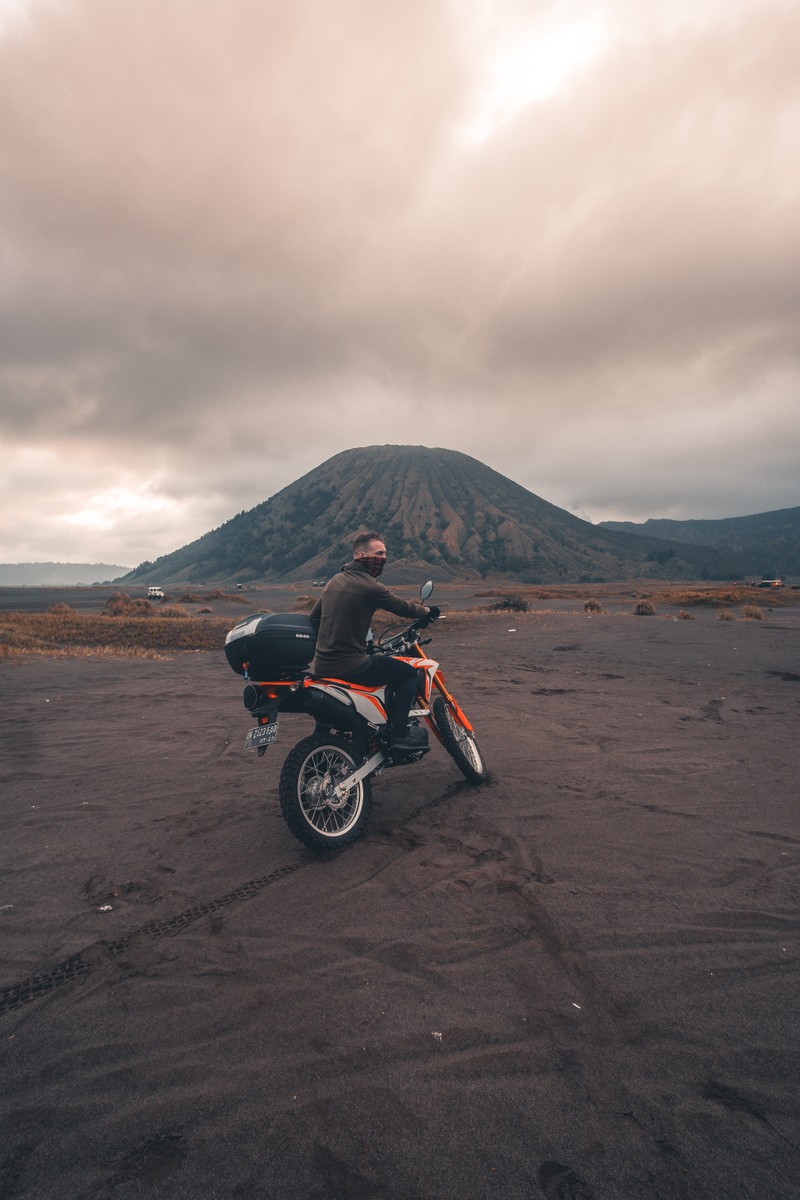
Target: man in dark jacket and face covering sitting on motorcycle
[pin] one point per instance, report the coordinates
(341, 620)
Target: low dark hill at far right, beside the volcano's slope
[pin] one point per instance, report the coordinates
(768, 542)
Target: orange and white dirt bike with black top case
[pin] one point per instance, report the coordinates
(327, 781)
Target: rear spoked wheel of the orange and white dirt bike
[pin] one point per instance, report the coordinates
(316, 813)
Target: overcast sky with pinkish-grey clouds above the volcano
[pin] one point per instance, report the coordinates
(238, 237)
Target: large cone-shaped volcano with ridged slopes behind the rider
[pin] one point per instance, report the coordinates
(442, 513)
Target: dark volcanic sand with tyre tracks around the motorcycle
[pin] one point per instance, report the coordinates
(576, 981)
